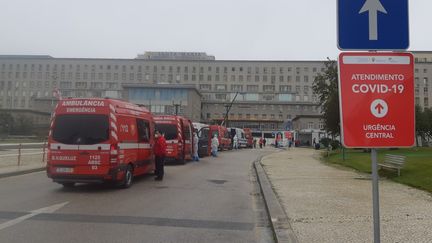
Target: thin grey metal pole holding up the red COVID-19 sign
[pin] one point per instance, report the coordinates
(375, 196)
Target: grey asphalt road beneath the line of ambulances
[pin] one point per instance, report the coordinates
(214, 200)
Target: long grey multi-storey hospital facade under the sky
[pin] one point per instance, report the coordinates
(269, 93)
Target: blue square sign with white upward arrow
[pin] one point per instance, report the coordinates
(373, 25)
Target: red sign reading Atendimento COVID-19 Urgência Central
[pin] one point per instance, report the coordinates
(376, 93)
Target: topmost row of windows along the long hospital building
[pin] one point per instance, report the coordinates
(155, 68)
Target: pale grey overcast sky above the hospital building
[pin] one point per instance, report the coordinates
(228, 29)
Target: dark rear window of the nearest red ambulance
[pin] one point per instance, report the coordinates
(81, 129)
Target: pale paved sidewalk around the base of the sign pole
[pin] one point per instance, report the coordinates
(331, 204)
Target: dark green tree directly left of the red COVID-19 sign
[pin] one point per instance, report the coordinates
(326, 87)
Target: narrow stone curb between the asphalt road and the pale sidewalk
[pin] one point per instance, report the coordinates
(281, 227)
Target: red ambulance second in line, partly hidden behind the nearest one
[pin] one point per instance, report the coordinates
(178, 136)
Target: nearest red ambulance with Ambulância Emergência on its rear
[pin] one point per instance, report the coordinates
(98, 140)
